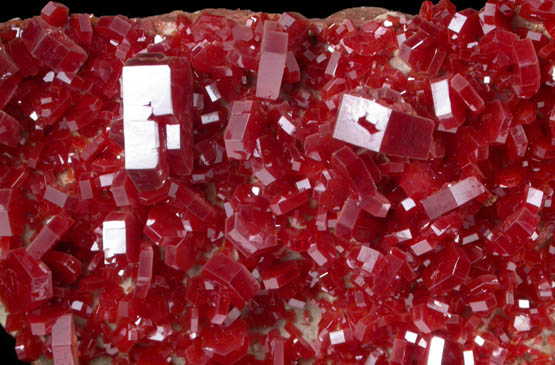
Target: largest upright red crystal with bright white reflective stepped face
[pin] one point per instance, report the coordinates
(152, 111)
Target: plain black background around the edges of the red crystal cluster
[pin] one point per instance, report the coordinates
(320, 9)
